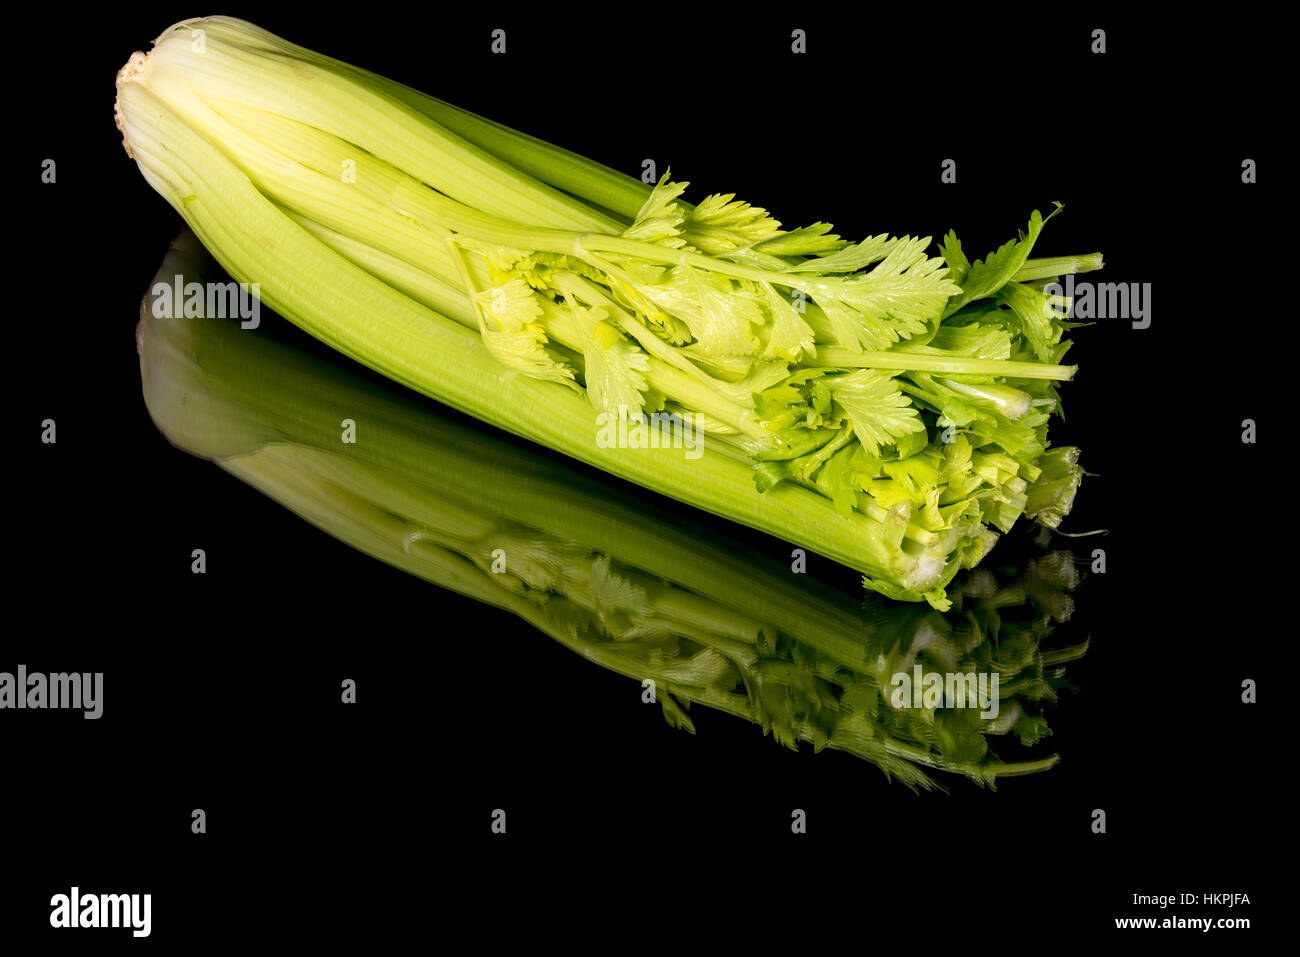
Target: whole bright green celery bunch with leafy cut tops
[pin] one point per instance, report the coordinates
(869, 401)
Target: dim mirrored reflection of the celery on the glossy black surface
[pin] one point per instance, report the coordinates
(630, 590)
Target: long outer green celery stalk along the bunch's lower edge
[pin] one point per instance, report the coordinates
(363, 318)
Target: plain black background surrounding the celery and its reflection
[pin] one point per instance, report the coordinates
(372, 822)
